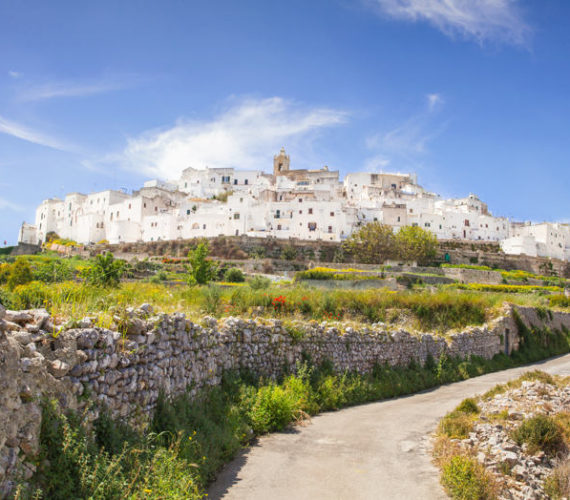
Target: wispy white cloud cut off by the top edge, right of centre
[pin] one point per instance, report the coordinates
(482, 20)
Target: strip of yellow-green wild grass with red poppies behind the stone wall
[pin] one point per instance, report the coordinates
(424, 310)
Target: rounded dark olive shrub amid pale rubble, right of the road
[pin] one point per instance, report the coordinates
(539, 433)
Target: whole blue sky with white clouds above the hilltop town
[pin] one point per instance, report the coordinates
(473, 96)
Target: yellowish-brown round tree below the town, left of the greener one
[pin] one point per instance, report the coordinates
(372, 244)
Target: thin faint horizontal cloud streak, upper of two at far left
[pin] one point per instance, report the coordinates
(58, 89)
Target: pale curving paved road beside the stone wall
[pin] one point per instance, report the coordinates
(374, 451)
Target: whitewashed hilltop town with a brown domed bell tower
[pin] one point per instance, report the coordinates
(289, 203)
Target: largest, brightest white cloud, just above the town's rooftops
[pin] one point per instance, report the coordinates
(245, 136)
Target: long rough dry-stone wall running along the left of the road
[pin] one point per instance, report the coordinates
(125, 371)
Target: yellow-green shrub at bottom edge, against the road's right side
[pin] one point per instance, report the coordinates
(464, 478)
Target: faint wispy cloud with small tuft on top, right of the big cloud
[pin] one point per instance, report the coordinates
(404, 145)
